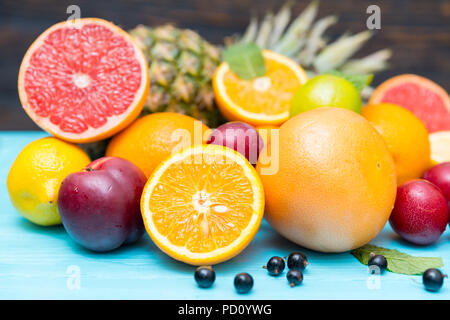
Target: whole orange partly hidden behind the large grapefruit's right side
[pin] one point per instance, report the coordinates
(406, 137)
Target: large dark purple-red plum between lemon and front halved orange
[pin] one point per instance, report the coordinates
(100, 206)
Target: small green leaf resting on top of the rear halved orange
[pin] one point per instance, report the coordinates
(245, 60)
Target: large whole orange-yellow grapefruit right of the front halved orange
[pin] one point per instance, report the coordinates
(335, 185)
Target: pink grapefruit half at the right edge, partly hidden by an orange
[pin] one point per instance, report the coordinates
(423, 97)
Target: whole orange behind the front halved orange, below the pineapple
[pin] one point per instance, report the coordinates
(152, 138)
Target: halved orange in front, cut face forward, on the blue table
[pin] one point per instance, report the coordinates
(203, 205)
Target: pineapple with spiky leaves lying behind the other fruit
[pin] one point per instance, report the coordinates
(182, 63)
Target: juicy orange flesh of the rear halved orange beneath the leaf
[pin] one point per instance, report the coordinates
(272, 99)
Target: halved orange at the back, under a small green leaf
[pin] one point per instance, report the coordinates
(261, 101)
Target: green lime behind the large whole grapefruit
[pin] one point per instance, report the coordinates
(326, 91)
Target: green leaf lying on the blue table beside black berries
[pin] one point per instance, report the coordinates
(398, 262)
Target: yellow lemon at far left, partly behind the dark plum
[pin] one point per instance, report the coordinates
(35, 177)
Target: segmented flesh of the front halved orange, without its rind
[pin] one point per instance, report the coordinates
(202, 207)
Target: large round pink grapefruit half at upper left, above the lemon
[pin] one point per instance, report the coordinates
(83, 80)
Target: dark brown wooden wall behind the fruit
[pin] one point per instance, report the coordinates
(418, 31)
